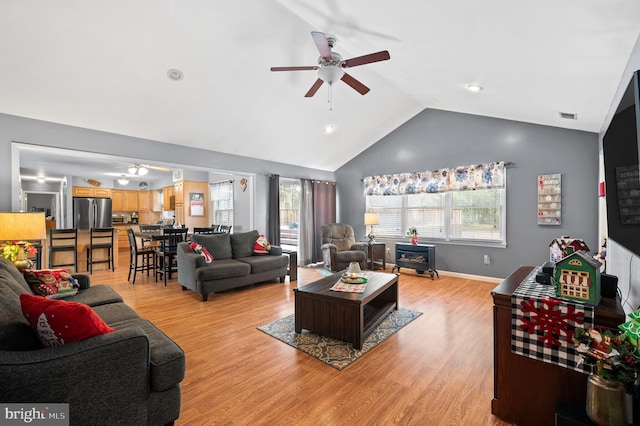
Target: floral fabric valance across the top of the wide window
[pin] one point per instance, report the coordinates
(480, 176)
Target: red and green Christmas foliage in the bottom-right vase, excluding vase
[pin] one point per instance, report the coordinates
(611, 355)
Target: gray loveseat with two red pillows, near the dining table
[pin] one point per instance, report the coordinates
(235, 264)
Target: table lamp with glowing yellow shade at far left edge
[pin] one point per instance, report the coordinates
(18, 228)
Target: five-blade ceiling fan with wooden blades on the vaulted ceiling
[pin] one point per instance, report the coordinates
(331, 65)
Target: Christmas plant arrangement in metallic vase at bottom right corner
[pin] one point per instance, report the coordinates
(614, 364)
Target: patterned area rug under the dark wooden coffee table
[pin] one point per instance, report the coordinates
(337, 353)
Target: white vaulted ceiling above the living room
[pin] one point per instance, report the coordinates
(103, 65)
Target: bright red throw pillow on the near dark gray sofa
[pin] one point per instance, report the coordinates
(57, 322)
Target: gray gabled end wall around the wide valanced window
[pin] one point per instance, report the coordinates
(435, 139)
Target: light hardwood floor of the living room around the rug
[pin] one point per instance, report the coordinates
(438, 370)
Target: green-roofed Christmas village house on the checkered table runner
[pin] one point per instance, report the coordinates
(577, 277)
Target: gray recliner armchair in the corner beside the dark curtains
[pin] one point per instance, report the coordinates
(339, 247)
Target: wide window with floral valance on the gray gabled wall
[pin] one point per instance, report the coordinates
(461, 204)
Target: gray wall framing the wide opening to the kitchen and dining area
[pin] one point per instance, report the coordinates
(25, 130)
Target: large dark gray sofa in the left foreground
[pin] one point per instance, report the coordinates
(130, 376)
